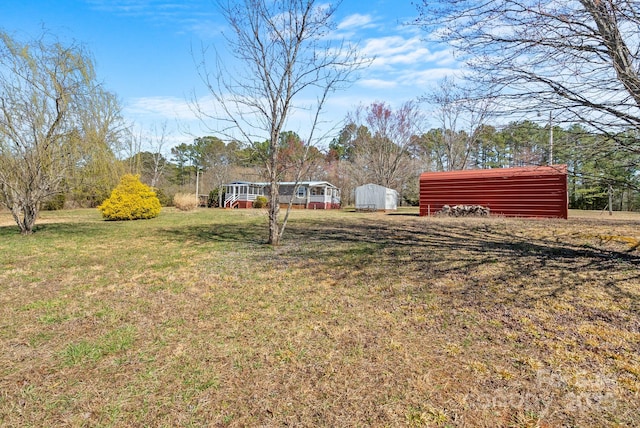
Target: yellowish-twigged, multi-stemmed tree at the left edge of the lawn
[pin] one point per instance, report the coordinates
(46, 90)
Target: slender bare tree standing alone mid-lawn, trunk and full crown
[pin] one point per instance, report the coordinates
(285, 53)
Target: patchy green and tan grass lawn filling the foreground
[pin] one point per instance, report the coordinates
(358, 319)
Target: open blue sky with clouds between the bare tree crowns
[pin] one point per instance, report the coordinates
(142, 50)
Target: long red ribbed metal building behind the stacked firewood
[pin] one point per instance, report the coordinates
(513, 192)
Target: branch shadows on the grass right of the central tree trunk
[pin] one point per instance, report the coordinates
(426, 252)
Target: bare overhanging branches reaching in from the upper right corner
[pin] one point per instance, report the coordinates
(578, 58)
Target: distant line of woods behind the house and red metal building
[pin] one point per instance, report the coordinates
(365, 151)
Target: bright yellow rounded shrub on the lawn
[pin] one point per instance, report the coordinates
(131, 200)
